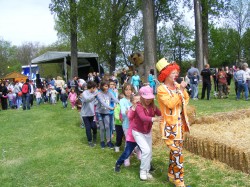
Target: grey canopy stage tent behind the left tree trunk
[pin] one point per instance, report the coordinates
(86, 61)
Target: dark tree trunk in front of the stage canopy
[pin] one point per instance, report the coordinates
(73, 39)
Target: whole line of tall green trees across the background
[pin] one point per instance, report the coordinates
(114, 29)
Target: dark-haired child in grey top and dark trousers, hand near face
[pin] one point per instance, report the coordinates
(88, 113)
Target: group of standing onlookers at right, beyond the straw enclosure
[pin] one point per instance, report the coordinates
(221, 79)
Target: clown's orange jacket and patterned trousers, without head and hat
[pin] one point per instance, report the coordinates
(173, 104)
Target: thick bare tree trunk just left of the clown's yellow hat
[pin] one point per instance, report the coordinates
(149, 38)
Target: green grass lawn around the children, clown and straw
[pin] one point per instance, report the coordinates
(46, 147)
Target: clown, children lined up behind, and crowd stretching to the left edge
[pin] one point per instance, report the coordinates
(129, 113)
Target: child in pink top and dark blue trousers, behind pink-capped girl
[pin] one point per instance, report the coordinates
(130, 141)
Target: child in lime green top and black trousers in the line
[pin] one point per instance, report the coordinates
(118, 124)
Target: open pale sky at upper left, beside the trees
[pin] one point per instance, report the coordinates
(27, 21)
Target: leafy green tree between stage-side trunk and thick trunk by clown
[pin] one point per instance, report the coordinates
(101, 26)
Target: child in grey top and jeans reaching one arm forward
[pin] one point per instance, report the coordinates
(103, 108)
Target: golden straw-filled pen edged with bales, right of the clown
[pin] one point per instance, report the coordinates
(225, 137)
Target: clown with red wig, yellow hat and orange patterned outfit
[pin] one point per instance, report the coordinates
(173, 99)
